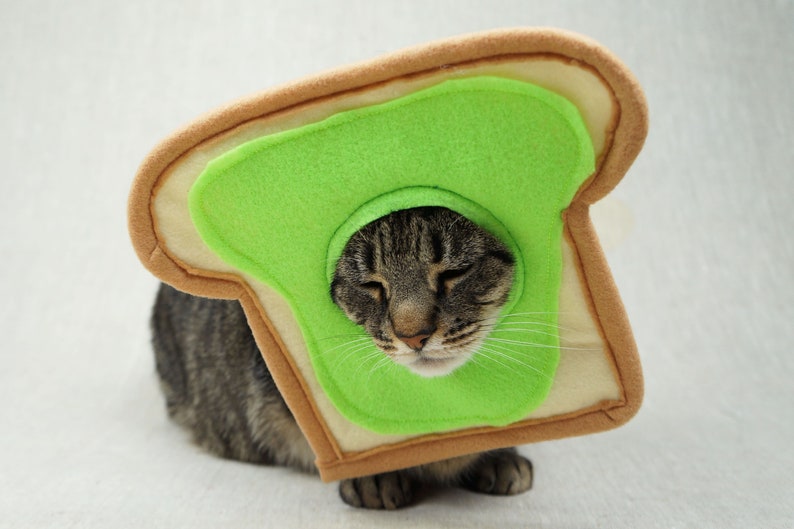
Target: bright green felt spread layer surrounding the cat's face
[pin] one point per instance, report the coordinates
(507, 154)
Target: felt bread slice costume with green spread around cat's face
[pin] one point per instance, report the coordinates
(518, 130)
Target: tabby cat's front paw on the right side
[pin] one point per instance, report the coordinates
(502, 472)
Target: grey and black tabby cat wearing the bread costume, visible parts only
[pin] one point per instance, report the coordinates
(425, 283)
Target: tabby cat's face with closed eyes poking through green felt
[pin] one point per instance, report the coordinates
(426, 284)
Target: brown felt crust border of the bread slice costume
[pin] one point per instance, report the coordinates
(622, 146)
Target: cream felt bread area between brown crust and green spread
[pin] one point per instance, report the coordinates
(585, 376)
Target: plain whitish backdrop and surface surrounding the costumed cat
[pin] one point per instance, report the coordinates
(706, 271)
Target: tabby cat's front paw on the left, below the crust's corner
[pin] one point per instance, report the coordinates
(391, 490)
